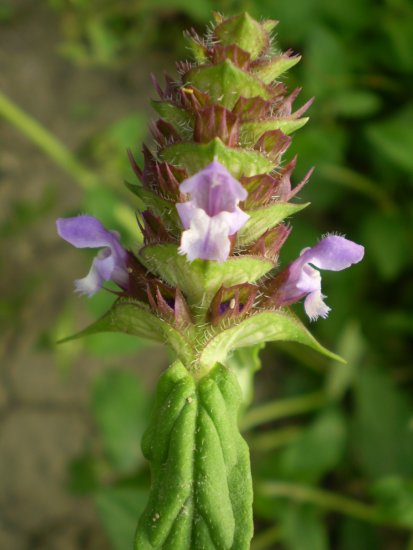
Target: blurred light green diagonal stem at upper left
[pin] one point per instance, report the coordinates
(47, 142)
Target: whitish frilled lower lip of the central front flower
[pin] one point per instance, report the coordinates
(207, 238)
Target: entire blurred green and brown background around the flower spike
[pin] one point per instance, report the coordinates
(331, 445)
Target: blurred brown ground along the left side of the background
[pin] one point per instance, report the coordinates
(44, 421)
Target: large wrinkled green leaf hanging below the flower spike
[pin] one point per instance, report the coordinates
(201, 493)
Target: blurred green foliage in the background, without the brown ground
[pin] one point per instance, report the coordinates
(334, 468)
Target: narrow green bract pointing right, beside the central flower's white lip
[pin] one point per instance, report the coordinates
(266, 218)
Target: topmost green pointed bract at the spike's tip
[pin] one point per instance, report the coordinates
(245, 32)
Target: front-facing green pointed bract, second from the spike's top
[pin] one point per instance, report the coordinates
(225, 83)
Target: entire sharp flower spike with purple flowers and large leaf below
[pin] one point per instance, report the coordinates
(214, 187)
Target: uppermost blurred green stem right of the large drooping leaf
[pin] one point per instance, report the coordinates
(280, 409)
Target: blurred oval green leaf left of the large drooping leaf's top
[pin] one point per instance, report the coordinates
(119, 405)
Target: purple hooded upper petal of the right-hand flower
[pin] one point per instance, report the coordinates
(334, 253)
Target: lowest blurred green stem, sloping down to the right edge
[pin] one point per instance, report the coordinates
(326, 500)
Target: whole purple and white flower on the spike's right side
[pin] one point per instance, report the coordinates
(333, 253)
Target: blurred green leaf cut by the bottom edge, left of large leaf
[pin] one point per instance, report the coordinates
(118, 509)
